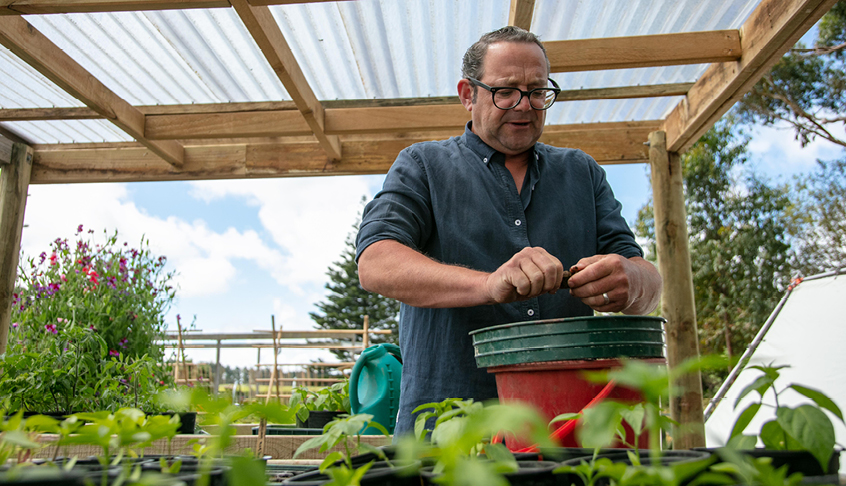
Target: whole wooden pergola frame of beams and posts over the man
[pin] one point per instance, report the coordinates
(309, 137)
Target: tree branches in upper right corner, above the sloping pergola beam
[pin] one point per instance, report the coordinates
(805, 89)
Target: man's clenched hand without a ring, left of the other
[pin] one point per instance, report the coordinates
(528, 274)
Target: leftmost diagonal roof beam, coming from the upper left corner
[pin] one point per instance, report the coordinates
(39, 52)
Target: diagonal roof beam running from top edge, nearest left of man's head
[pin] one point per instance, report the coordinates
(267, 34)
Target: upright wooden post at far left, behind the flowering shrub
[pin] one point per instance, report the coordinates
(14, 183)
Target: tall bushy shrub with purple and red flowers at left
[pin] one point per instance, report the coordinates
(121, 293)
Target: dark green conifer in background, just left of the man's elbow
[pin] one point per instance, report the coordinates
(347, 303)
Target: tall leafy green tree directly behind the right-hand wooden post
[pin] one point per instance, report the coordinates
(740, 231)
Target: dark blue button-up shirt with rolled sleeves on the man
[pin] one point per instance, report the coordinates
(455, 201)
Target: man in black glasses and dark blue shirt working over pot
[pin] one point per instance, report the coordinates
(477, 230)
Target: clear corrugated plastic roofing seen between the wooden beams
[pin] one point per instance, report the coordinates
(364, 49)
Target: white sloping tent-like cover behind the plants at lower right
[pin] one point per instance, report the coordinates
(807, 331)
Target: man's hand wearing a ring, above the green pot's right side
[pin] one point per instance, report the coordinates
(632, 285)
